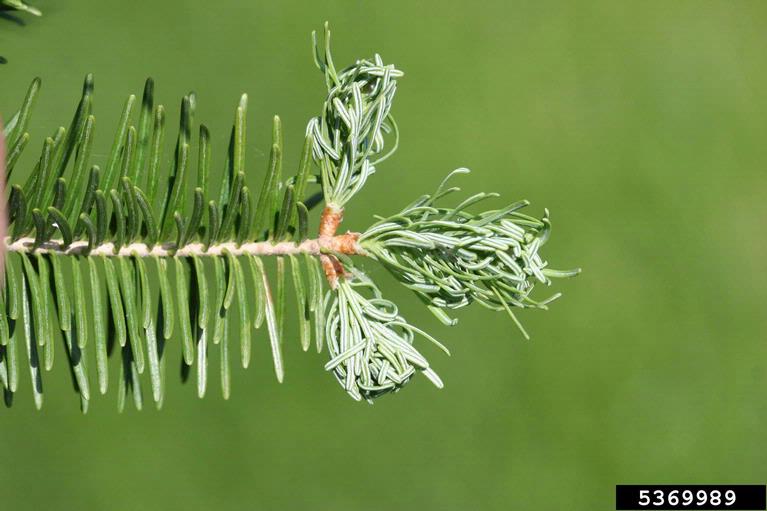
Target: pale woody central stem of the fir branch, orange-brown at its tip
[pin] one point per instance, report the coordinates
(343, 244)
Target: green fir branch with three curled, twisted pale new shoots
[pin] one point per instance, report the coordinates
(83, 234)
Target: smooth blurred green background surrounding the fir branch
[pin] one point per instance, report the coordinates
(641, 125)
